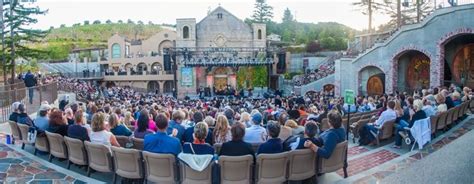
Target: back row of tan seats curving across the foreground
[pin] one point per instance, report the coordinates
(164, 168)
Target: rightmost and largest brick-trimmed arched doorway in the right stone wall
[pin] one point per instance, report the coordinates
(459, 61)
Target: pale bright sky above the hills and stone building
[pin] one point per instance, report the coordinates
(166, 11)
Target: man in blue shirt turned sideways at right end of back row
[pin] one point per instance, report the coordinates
(329, 138)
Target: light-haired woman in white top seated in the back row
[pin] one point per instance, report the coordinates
(99, 133)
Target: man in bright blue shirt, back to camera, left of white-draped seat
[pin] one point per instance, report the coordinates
(161, 142)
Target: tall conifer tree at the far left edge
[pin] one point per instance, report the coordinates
(18, 22)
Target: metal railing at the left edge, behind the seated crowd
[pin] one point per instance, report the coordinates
(47, 92)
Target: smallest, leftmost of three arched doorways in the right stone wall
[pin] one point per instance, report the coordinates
(372, 81)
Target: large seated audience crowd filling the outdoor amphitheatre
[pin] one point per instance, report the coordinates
(277, 124)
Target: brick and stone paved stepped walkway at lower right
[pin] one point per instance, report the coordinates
(368, 164)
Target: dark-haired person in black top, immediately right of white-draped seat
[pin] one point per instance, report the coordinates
(237, 147)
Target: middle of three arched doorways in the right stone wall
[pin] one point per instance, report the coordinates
(413, 71)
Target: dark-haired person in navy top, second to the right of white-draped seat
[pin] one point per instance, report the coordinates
(274, 144)
